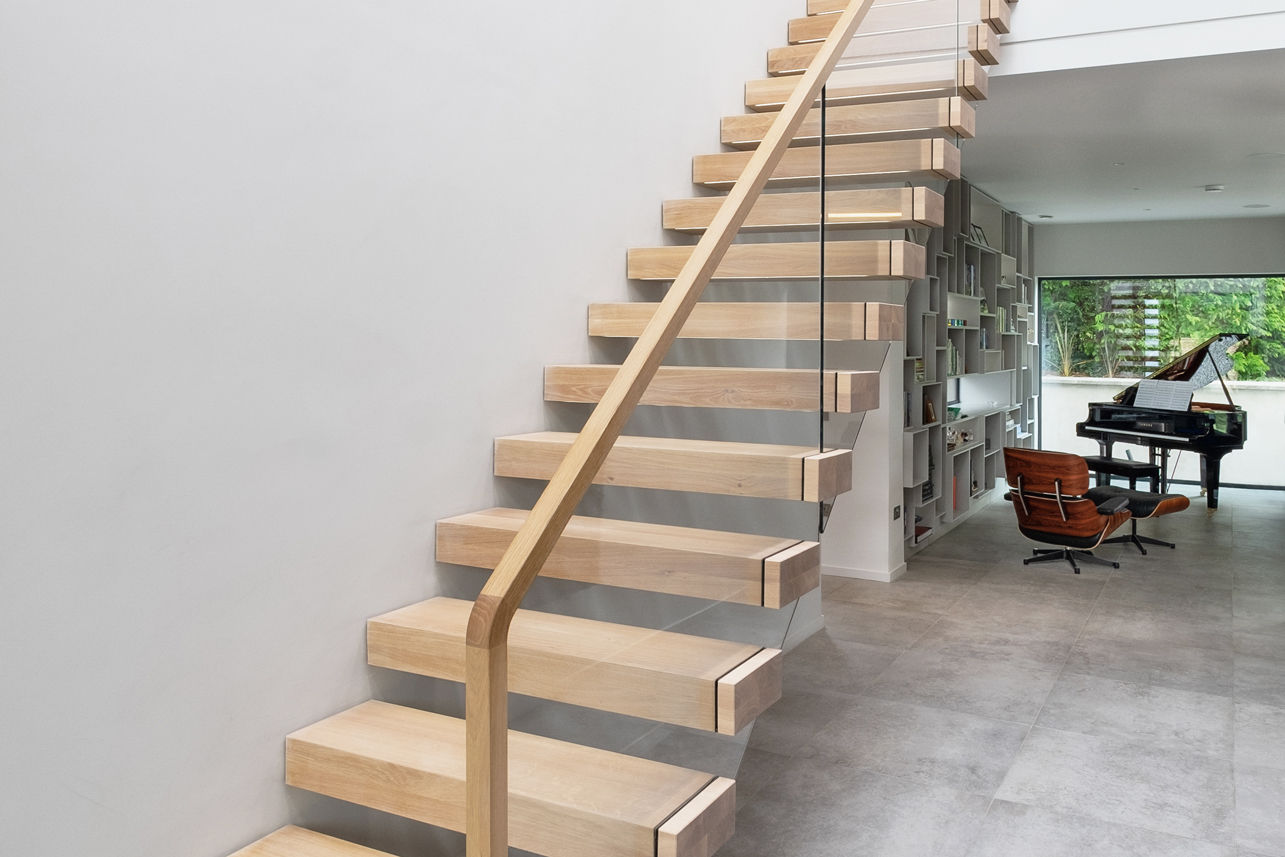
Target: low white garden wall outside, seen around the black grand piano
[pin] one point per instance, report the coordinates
(1065, 403)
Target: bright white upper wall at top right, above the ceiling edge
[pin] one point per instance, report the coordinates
(1052, 37)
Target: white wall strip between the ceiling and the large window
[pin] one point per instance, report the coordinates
(1162, 249)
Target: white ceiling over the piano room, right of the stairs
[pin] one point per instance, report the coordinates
(1139, 142)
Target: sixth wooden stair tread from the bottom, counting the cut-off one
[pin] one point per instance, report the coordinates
(846, 391)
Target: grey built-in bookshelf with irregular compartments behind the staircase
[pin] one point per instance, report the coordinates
(971, 378)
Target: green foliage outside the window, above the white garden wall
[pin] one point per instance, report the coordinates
(1113, 328)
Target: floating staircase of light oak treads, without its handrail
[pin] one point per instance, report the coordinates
(886, 125)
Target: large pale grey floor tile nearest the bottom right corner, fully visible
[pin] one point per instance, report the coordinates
(1124, 782)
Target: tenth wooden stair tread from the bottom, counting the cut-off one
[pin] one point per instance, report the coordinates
(877, 161)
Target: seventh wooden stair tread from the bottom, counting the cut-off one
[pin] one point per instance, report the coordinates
(751, 321)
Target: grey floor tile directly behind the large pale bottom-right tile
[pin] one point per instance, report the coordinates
(1179, 719)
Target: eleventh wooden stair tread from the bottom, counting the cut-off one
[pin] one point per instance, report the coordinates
(854, 123)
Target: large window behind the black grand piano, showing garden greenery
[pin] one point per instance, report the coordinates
(1098, 335)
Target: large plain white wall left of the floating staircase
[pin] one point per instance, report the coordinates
(274, 274)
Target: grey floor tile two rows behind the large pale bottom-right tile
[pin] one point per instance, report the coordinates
(1155, 664)
